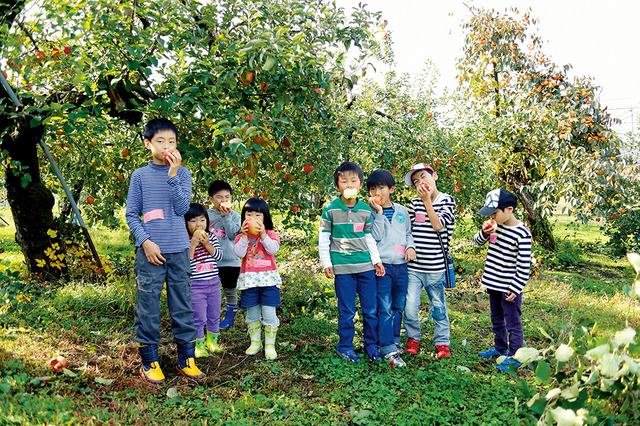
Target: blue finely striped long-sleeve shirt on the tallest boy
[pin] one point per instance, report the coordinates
(156, 205)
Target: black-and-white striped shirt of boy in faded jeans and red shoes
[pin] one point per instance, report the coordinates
(429, 256)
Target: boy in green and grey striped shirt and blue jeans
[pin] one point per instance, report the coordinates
(348, 253)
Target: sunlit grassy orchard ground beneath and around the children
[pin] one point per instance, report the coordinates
(92, 326)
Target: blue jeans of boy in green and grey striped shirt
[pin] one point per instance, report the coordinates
(347, 285)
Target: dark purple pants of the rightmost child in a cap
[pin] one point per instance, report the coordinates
(505, 317)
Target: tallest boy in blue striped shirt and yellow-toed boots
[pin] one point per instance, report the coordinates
(161, 194)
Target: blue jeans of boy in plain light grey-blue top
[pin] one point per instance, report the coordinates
(392, 294)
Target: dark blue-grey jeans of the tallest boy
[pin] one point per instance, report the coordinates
(150, 280)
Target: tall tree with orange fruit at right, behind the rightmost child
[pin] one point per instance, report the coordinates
(549, 136)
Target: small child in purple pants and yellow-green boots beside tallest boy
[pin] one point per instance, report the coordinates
(205, 284)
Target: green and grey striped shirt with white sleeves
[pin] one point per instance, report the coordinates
(345, 241)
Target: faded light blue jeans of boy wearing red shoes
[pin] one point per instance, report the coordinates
(433, 283)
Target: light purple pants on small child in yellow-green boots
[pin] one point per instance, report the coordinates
(205, 299)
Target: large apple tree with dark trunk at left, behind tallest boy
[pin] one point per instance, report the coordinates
(250, 86)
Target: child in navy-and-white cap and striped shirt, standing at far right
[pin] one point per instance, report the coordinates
(506, 272)
